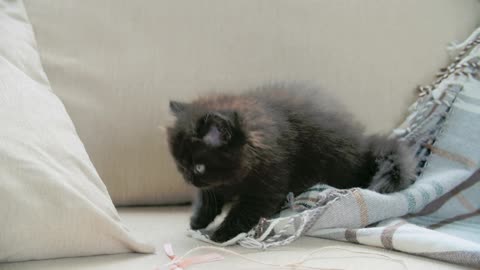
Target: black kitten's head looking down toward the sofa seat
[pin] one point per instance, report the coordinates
(207, 145)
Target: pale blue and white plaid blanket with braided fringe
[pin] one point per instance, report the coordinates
(438, 216)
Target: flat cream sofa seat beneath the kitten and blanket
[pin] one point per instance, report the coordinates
(161, 225)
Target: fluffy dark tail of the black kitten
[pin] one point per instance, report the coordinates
(392, 165)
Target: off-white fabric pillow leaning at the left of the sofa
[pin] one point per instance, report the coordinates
(52, 201)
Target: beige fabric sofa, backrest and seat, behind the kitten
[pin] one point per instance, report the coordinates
(115, 64)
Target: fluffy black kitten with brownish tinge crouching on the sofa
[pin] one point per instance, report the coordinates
(255, 148)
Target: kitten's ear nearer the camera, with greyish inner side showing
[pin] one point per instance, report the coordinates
(220, 128)
